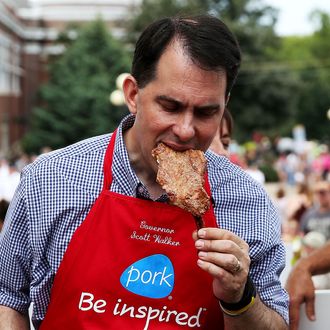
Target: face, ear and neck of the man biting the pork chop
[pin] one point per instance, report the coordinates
(181, 107)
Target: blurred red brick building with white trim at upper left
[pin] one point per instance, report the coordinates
(28, 29)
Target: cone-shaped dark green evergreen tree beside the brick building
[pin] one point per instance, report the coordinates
(74, 104)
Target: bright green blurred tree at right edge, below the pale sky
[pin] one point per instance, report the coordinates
(307, 58)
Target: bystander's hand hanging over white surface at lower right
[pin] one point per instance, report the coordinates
(301, 290)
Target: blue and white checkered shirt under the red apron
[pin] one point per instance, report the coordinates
(57, 191)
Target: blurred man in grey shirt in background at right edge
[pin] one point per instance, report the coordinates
(317, 217)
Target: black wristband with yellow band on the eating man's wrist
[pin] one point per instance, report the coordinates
(246, 302)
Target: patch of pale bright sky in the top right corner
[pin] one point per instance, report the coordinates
(293, 15)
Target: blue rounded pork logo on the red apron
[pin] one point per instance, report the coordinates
(151, 277)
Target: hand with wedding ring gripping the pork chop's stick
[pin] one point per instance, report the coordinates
(225, 256)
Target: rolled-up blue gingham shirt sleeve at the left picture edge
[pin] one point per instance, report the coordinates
(15, 256)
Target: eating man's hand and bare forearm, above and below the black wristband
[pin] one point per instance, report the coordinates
(225, 256)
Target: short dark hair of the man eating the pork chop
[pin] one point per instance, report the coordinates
(206, 40)
